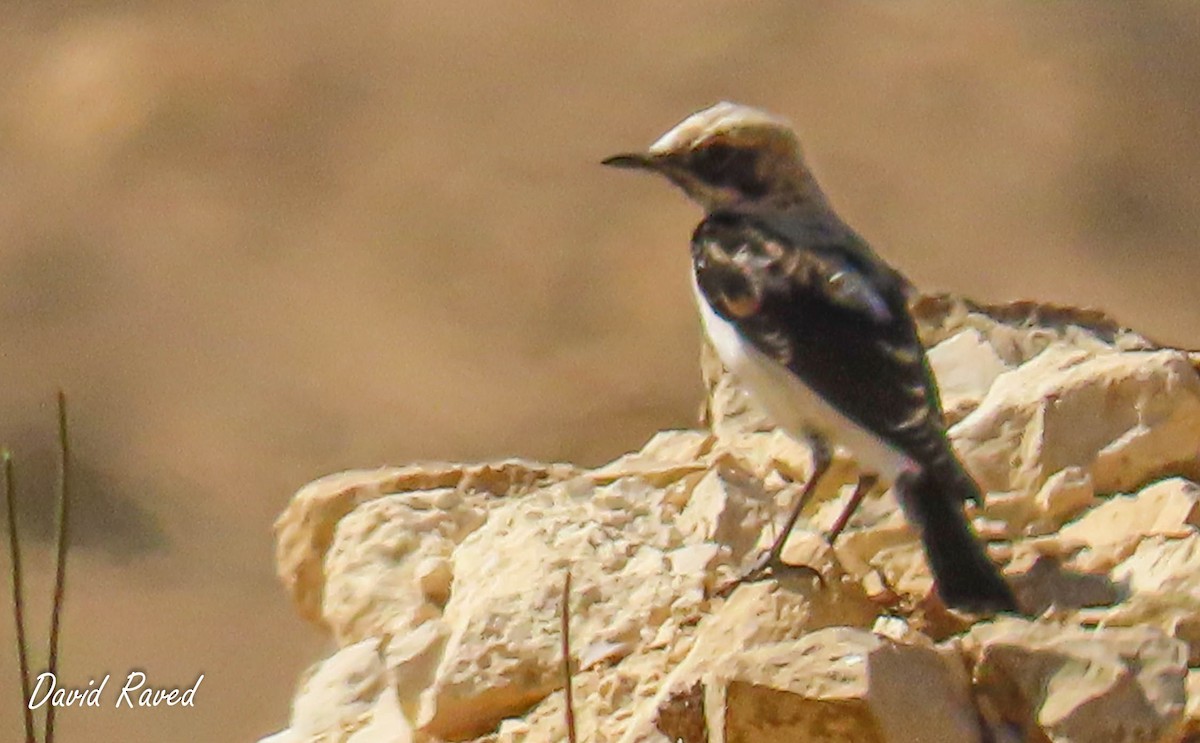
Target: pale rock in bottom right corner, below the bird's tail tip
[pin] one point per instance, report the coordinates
(1072, 685)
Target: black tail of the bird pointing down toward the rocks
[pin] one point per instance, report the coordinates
(967, 577)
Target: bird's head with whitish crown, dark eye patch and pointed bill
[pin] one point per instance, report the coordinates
(729, 157)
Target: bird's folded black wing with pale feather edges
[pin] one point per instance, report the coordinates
(836, 316)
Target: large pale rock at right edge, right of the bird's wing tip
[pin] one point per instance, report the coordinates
(1120, 417)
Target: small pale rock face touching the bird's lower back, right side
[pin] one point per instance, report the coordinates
(965, 367)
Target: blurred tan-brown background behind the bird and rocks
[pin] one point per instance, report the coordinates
(262, 242)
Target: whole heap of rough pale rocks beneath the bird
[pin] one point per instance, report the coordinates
(443, 585)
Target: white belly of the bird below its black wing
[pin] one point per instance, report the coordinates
(791, 404)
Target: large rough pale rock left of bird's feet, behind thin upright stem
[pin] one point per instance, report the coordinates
(496, 662)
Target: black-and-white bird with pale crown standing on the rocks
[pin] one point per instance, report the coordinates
(818, 328)
